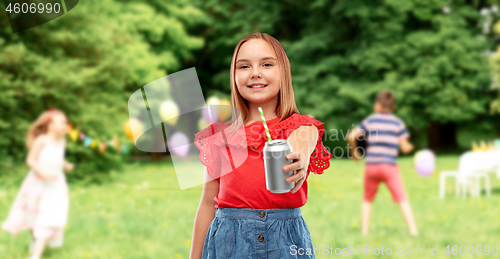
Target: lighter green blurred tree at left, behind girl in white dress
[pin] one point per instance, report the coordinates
(87, 63)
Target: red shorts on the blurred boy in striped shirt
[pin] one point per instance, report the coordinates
(388, 173)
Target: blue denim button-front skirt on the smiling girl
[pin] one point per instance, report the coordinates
(255, 233)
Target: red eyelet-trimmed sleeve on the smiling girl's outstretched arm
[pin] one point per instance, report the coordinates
(320, 157)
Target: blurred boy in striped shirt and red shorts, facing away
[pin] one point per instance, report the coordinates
(385, 134)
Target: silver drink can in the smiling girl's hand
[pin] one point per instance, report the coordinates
(274, 159)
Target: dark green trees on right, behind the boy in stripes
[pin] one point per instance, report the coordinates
(343, 52)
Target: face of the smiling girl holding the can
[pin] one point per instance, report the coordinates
(257, 72)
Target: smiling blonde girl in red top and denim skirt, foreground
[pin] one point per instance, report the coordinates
(237, 216)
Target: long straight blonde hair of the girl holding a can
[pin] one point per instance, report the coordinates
(286, 101)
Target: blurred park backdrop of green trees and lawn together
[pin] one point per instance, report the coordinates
(439, 57)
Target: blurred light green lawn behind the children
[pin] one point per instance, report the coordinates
(143, 214)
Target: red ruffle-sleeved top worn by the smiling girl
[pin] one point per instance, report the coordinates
(238, 164)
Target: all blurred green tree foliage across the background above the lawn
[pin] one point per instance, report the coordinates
(89, 61)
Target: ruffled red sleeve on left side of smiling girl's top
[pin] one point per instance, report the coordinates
(209, 155)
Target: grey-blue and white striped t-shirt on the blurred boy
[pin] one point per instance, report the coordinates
(382, 132)
